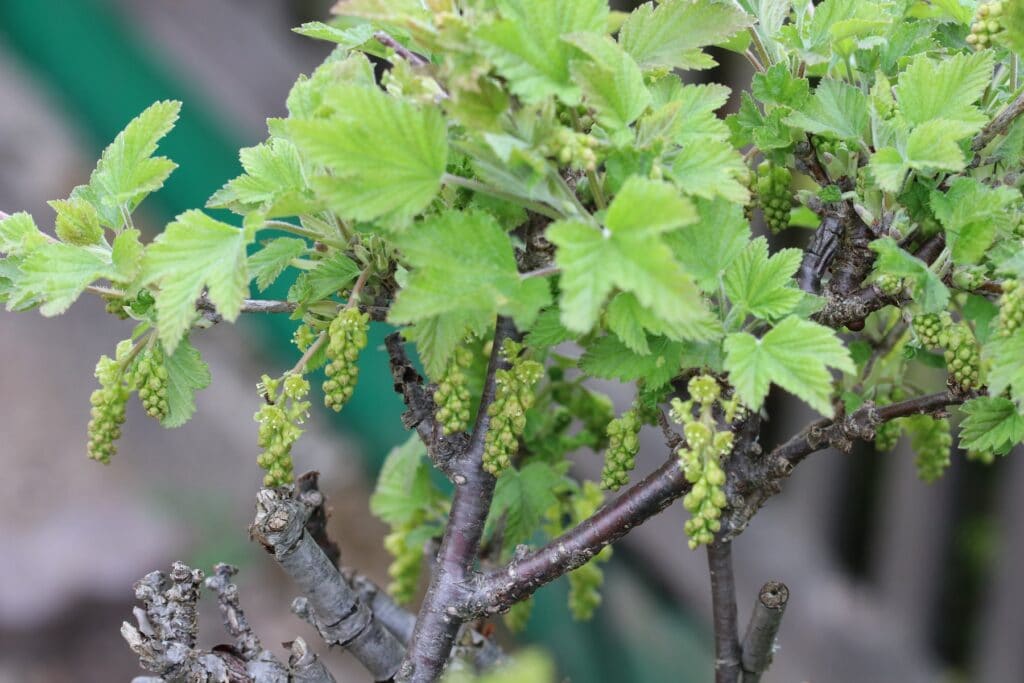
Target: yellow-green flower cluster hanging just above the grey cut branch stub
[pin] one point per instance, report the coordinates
(283, 411)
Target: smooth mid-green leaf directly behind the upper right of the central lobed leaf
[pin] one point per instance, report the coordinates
(708, 248)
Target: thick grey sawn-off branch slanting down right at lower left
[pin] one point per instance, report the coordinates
(331, 604)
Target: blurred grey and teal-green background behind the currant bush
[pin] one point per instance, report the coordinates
(890, 580)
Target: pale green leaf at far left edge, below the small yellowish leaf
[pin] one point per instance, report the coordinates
(57, 274)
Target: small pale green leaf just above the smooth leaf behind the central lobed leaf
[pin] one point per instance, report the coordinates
(711, 169)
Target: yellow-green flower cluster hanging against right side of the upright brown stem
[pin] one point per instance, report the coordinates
(515, 396)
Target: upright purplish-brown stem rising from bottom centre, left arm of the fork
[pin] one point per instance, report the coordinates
(439, 621)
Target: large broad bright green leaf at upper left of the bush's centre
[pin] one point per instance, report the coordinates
(386, 156)
